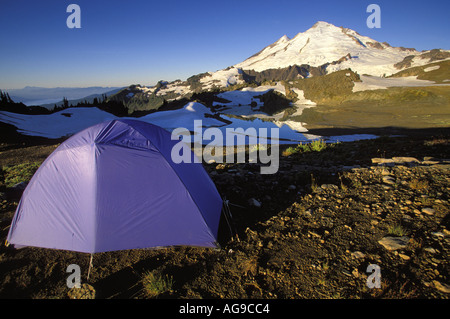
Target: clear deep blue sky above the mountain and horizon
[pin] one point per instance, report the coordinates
(140, 42)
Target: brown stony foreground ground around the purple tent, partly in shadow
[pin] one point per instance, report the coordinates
(309, 231)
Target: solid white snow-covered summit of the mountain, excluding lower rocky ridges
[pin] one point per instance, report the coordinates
(325, 43)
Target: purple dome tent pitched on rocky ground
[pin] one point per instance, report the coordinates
(113, 186)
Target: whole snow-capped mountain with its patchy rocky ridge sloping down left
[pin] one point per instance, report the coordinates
(320, 50)
